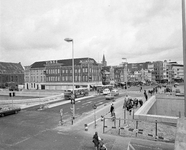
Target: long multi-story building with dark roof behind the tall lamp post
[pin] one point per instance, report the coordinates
(57, 74)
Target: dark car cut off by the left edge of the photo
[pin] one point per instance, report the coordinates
(8, 111)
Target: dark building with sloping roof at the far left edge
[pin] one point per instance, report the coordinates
(11, 73)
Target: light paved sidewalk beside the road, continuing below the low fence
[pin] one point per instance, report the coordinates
(89, 124)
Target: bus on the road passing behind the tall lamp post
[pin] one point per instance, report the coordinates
(78, 92)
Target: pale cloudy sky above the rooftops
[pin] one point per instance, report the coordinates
(139, 30)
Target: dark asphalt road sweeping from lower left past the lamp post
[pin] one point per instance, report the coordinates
(31, 128)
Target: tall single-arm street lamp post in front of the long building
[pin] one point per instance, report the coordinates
(73, 97)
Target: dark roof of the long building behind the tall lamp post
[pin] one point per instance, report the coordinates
(64, 62)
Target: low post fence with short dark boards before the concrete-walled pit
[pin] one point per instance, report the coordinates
(141, 129)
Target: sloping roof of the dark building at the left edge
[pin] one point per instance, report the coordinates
(11, 68)
